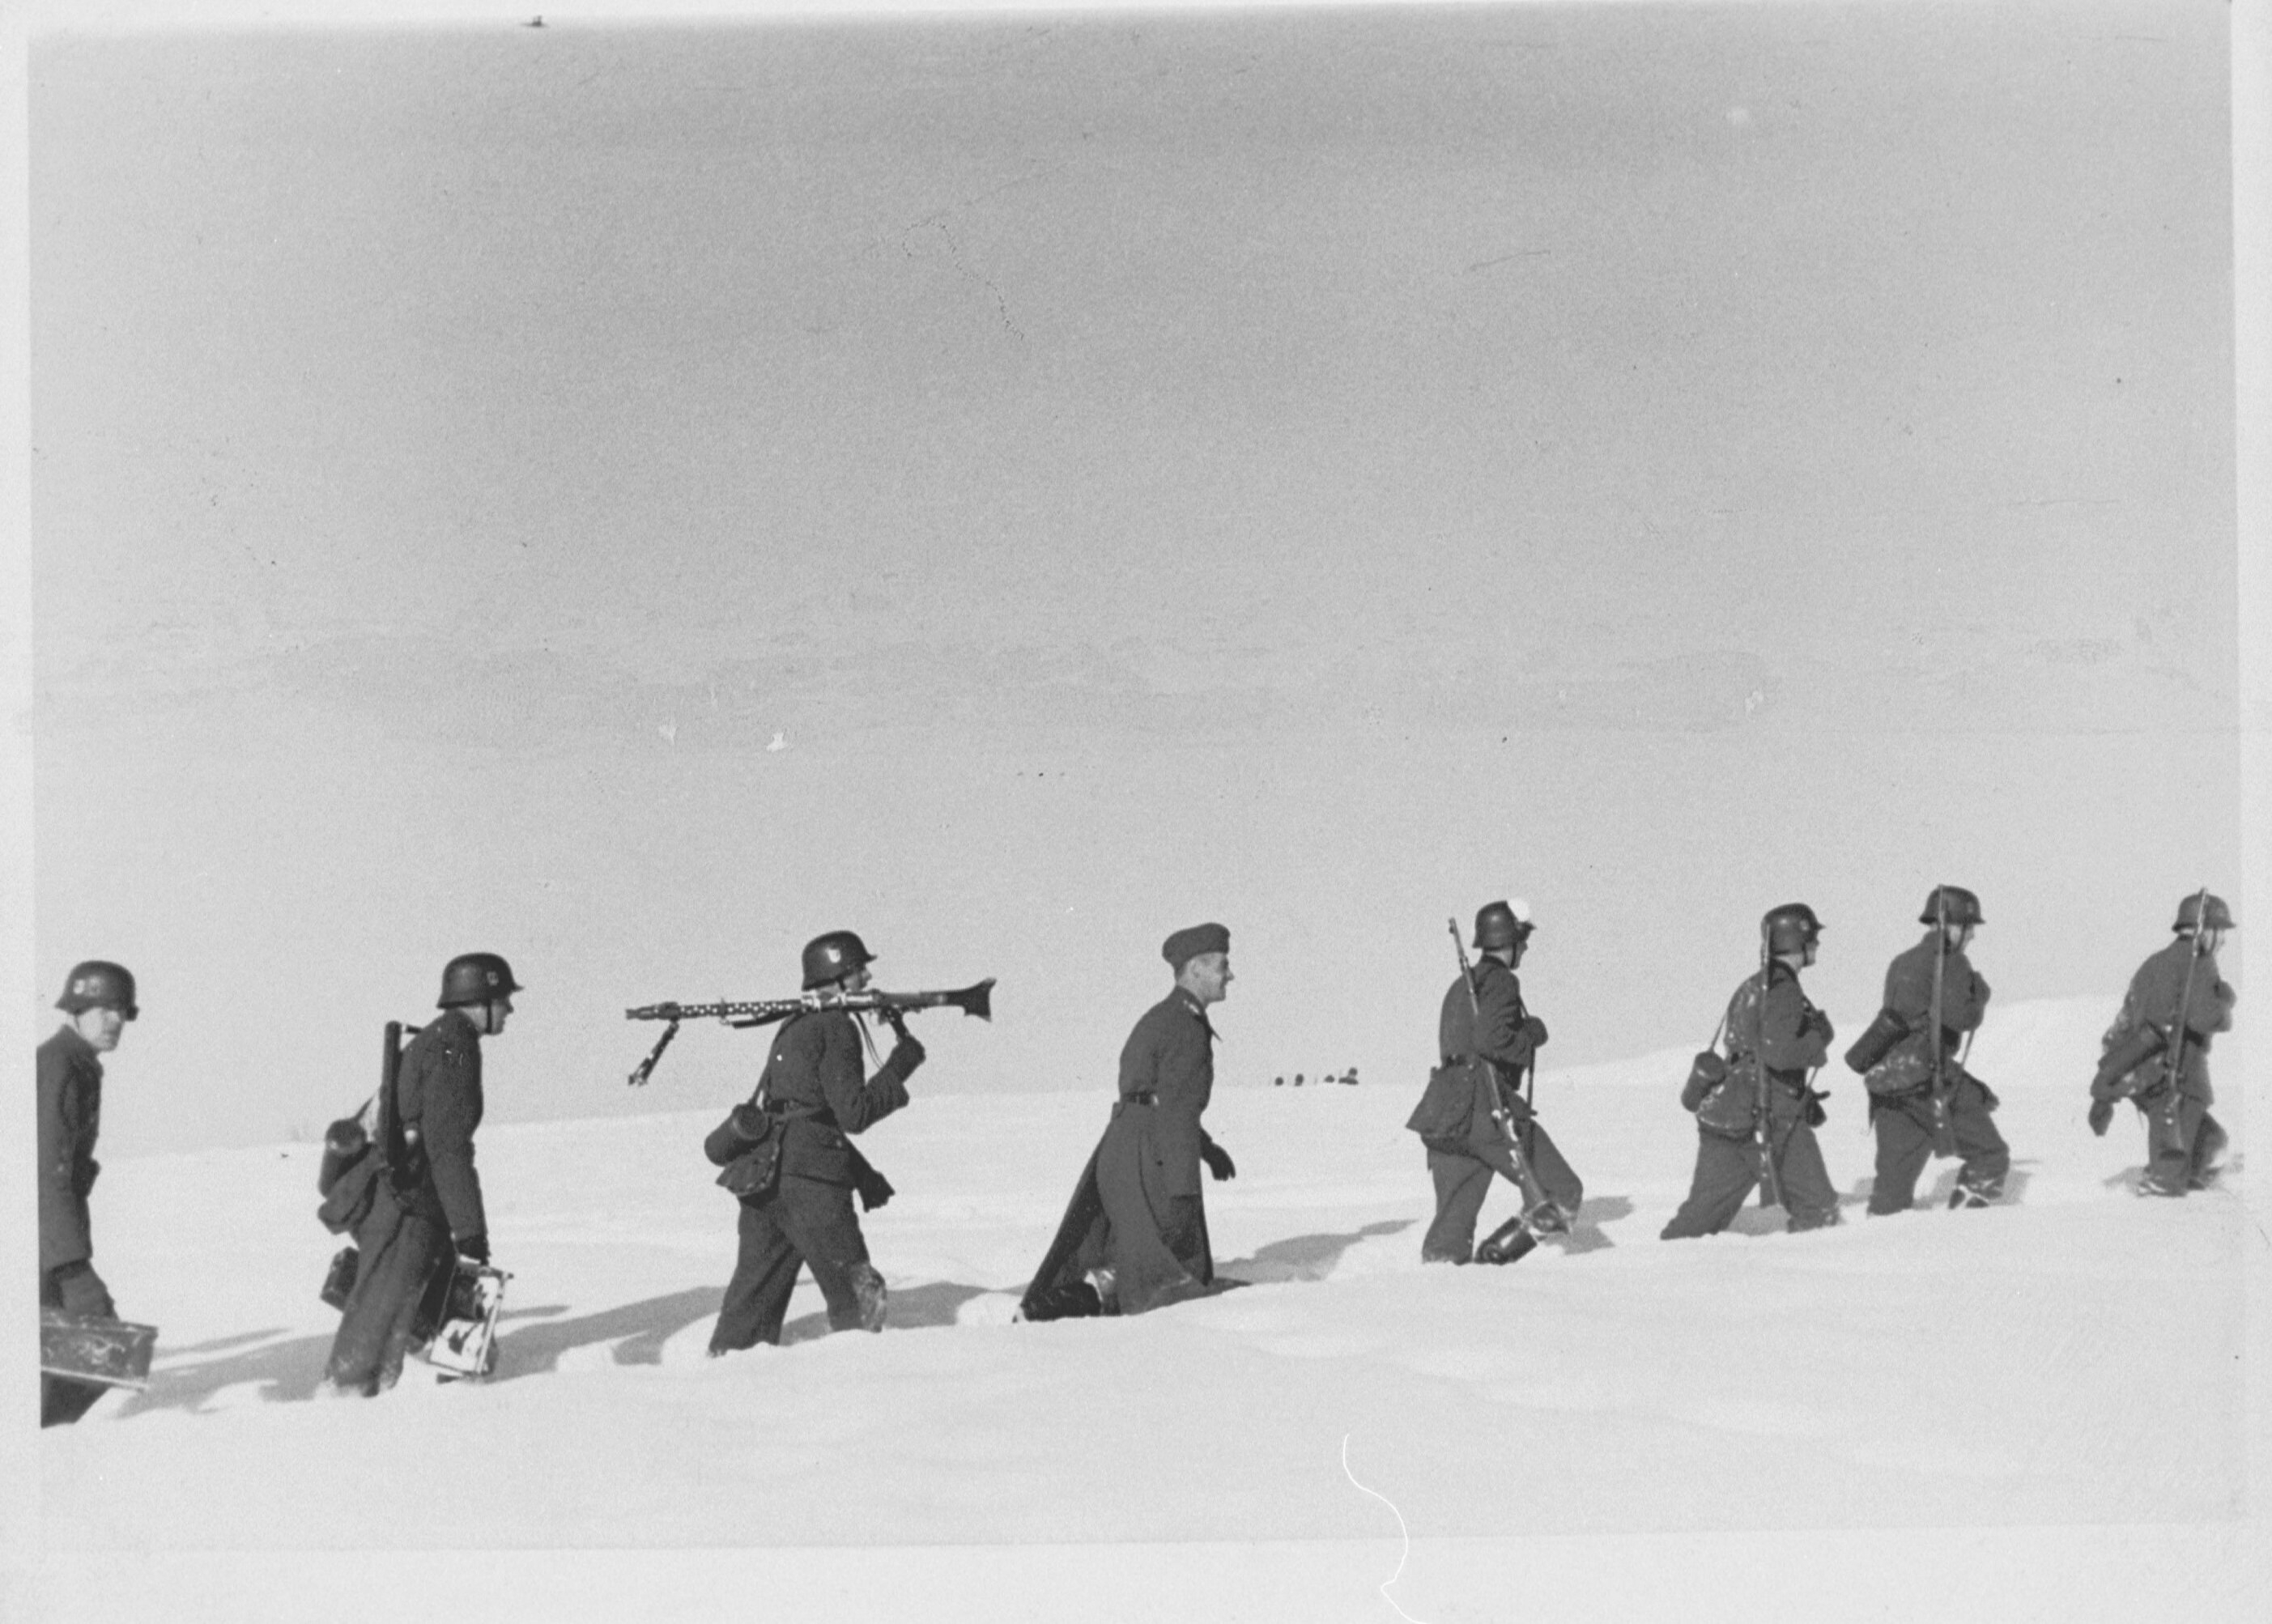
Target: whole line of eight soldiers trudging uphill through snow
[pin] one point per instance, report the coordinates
(1135, 1232)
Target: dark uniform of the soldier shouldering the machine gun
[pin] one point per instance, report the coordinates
(815, 1087)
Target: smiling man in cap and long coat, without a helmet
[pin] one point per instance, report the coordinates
(1135, 1234)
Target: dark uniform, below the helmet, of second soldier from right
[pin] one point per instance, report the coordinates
(1903, 1107)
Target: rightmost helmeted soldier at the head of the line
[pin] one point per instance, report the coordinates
(2157, 1053)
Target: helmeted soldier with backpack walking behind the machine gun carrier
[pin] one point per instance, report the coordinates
(426, 1212)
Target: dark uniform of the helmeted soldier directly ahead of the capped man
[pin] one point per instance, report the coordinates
(1492, 1026)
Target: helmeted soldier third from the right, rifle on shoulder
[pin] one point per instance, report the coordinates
(1760, 1119)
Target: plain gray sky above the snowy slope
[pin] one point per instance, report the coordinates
(635, 496)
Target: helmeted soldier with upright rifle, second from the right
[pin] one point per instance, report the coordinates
(1921, 1098)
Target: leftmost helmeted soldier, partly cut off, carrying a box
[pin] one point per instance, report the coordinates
(99, 1001)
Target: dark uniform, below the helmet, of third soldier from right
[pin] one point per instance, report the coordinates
(1776, 1039)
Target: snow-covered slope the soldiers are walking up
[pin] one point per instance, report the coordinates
(2037, 1412)
